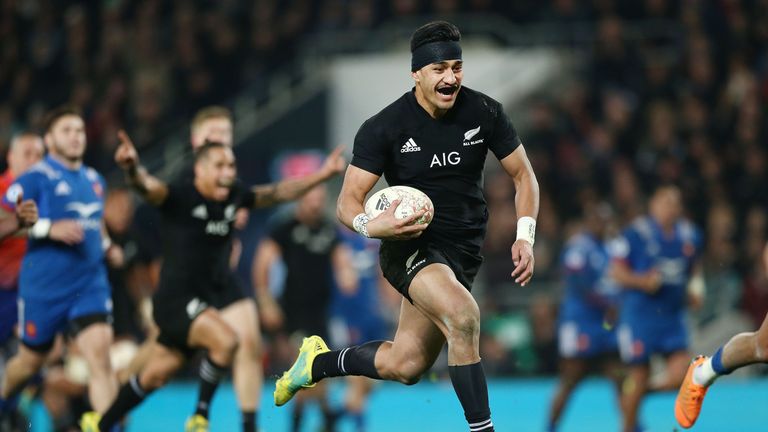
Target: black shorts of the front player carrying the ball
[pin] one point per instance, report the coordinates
(402, 260)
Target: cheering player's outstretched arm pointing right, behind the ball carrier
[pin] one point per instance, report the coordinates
(291, 189)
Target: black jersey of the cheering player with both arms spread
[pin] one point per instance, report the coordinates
(197, 234)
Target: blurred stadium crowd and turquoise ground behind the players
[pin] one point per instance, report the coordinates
(609, 97)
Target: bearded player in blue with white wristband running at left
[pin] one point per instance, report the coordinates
(63, 280)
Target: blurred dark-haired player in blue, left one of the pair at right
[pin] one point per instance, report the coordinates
(588, 311)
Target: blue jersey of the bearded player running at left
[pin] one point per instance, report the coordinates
(50, 268)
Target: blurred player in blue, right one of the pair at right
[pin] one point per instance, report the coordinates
(656, 260)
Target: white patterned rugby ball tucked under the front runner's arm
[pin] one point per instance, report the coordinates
(411, 201)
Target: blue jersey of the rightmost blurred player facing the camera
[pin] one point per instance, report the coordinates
(644, 247)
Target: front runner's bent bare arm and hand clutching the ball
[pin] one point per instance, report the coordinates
(357, 183)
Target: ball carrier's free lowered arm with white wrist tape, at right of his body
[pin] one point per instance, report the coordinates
(519, 168)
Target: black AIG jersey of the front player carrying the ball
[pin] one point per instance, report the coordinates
(443, 158)
